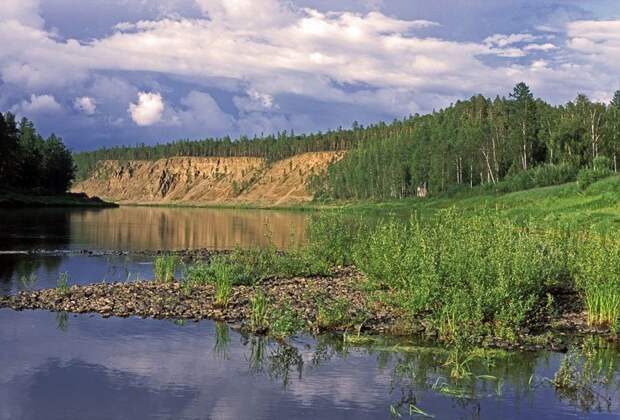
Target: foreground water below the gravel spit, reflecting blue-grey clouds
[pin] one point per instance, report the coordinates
(133, 368)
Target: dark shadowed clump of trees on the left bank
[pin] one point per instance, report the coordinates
(30, 163)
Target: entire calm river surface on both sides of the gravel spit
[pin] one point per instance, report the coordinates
(61, 366)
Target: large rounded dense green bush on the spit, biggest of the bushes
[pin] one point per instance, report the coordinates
(463, 274)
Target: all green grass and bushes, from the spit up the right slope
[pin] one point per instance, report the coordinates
(489, 268)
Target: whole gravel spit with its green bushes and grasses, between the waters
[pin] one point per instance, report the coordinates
(459, 279)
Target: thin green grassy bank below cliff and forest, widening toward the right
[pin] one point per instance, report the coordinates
(596, 207)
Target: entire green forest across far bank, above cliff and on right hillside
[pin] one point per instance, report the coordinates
(509, 142)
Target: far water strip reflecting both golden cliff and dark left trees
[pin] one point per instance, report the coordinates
(155, 228)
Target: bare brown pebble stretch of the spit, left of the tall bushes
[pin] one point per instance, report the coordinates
(171, 300)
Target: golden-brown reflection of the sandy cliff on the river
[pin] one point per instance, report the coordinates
(136, 228)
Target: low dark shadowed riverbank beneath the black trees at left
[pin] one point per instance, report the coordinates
(20, 200)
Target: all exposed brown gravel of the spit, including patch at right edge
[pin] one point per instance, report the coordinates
(334, 303)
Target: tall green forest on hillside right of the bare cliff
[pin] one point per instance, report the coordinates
(507, 143)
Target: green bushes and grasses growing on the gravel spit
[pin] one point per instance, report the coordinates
(454, 276)
